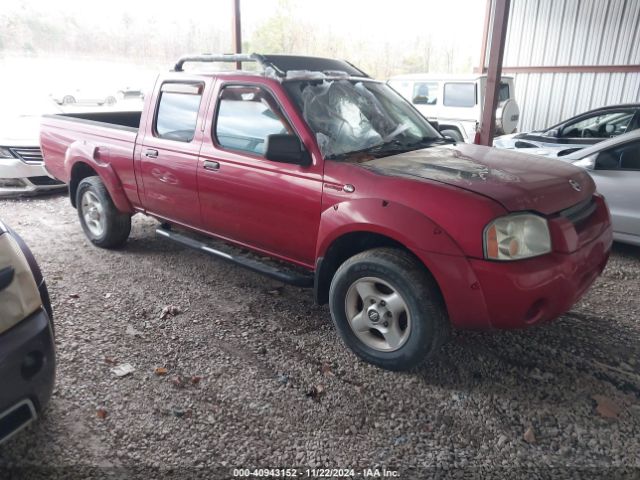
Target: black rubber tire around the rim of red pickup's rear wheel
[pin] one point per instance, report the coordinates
(117, 225)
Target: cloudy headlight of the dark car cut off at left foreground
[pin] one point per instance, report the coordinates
(21, 298)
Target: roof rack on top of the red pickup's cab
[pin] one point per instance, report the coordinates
(278, 64)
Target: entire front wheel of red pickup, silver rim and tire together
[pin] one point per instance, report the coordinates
(388, 309)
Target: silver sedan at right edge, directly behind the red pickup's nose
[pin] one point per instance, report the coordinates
(615, 167)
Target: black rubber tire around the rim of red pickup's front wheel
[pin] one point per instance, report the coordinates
(429, 322)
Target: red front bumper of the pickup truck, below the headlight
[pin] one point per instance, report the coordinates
(482, 294)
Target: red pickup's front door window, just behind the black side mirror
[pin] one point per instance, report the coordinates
(247, 115)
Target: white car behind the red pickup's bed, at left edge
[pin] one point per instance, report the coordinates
(22, 169)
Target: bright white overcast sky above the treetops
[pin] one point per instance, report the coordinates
(374, 20)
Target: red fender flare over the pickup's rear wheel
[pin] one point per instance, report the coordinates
(97, 158)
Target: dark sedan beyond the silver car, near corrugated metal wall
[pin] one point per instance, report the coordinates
(578, 132)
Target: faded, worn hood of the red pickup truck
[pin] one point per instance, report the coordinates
(516, 180)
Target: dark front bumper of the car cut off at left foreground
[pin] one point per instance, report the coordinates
(27, 372)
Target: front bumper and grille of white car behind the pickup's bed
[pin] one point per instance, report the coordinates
(20, 178)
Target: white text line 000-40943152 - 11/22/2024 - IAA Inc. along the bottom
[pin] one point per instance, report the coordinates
(315, 473)
